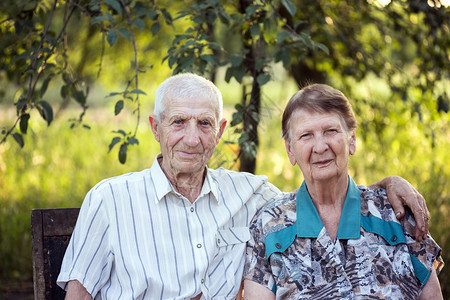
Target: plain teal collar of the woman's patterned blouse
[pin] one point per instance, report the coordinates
(309, 223)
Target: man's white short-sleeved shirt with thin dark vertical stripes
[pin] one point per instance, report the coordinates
(137, 238)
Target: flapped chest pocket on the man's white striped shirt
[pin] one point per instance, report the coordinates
(226, 270)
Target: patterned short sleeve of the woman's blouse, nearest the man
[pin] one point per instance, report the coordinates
(257, 266)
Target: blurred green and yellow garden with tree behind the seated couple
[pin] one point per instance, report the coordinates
(77, 83)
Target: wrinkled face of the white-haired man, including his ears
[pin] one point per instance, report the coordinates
(188, 133)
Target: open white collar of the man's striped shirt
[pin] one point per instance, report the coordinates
(163, 186)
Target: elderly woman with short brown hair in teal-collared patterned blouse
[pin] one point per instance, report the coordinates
(333, 239)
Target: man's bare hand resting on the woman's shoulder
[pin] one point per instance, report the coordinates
(401, 193)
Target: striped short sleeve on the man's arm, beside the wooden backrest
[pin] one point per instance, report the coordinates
(88, 257)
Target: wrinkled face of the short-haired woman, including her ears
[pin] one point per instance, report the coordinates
(320, 145)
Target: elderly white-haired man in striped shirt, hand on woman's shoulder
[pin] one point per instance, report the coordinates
(179, 229)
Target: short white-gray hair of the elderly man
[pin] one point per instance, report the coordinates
(187, 86)
